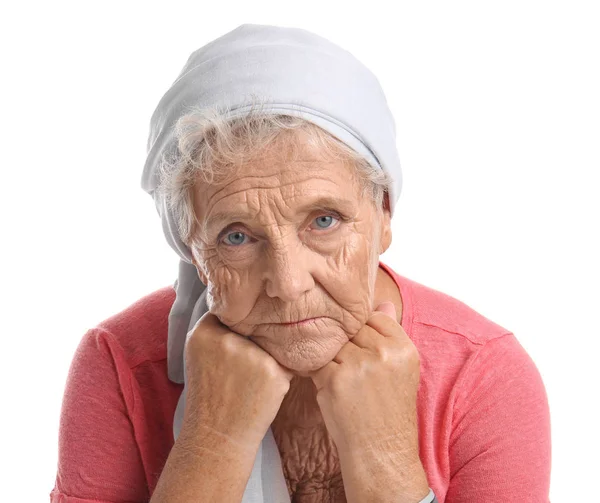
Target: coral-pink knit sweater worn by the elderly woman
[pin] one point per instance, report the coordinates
(484, 424)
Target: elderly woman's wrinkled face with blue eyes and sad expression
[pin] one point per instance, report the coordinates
(288, 239)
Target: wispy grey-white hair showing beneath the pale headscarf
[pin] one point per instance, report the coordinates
(212, 147)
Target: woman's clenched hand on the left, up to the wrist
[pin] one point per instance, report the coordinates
(234, 387)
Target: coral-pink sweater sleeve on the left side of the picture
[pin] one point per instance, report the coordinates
(98, 456)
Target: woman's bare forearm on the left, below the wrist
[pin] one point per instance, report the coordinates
(204, 468)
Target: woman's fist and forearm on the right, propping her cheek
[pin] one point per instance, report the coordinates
(368, 400)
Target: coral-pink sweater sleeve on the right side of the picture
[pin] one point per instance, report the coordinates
(500, 446)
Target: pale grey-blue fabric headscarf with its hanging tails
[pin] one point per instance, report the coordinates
(292, 71)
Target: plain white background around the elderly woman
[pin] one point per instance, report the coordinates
(498, 117)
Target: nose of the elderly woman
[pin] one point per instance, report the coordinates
(288, 275)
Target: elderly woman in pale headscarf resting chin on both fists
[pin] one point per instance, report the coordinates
(288, 363)
